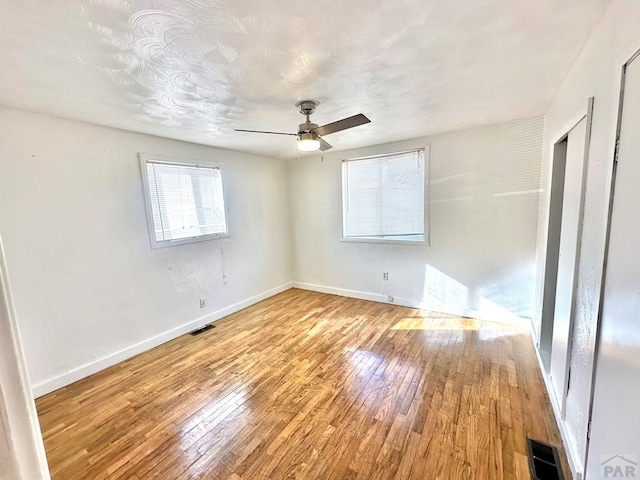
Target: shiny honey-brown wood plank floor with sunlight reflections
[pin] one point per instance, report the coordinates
(309, 385)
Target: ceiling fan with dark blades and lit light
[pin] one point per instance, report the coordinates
(310, 134)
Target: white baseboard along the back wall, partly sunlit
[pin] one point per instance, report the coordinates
(412, 303)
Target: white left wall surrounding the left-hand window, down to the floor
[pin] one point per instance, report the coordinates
(88, 289)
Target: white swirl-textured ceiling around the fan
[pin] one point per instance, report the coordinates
(196, 69)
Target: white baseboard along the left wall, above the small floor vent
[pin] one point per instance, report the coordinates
(93, 367)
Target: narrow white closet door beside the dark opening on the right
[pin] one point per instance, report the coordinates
(570, 233)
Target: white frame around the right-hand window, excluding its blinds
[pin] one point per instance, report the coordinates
(426, 241)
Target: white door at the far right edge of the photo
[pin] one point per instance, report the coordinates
(617, 387)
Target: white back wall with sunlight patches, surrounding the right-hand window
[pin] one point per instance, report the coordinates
(484, 193)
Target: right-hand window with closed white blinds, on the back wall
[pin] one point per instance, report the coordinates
(383, 198)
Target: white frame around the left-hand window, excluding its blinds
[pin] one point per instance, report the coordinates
(146, 158)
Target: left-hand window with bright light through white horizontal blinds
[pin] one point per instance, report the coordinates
(185, 201)
